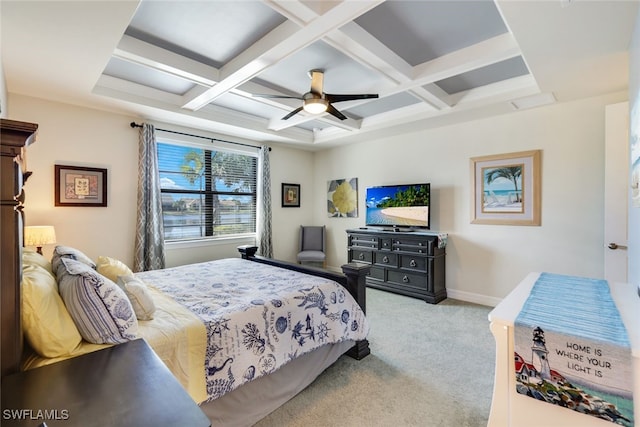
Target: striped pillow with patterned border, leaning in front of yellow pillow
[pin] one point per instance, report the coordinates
(98, 307)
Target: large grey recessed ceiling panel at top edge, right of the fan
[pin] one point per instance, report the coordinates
(419, 31)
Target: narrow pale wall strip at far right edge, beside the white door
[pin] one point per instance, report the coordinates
(634, 132)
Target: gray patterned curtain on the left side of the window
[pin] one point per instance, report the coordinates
(149, 251)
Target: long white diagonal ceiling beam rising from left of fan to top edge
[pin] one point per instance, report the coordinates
(281, 42)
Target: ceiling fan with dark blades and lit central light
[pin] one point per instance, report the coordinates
(316, 101)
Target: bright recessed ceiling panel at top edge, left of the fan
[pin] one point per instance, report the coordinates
(212, 32)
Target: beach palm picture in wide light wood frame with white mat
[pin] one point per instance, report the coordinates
(505, 188)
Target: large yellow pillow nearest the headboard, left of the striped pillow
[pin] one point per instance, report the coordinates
(46, 321)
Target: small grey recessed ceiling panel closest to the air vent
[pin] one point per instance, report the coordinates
(493, 73)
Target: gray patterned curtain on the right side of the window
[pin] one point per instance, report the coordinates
(265, 246)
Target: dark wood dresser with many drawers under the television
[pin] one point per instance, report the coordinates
(407, 263)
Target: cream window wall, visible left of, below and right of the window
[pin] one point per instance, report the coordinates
(73, 135)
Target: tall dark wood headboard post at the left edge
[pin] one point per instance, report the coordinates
(15, 137)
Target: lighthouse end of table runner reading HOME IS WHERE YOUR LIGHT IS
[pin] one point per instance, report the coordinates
(588, 377)
